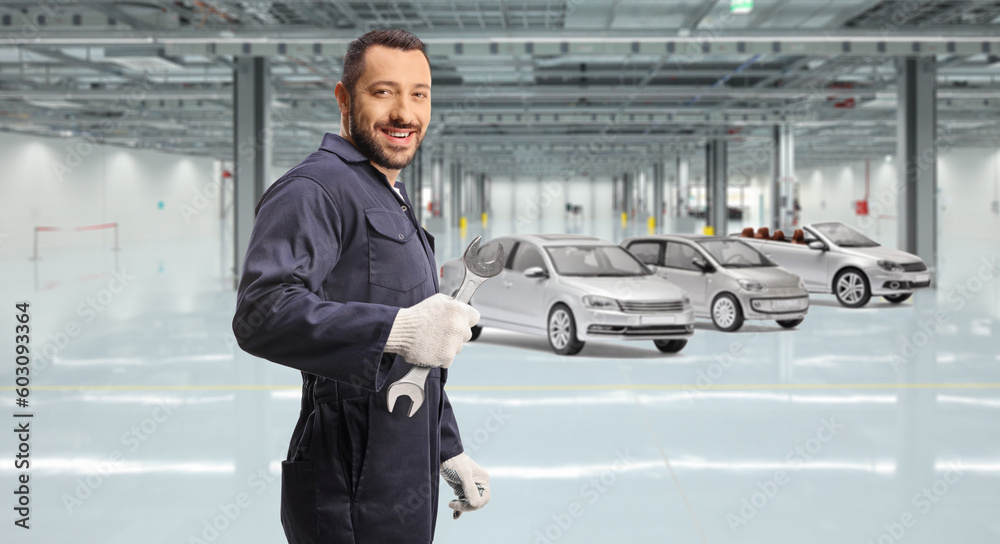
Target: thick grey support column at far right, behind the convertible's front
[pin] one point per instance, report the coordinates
(916, 157)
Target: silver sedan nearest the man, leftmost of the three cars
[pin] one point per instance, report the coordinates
(574, 288)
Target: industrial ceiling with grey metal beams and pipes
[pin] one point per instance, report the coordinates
(522, 87)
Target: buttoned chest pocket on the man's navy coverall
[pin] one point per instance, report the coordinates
(396, 258)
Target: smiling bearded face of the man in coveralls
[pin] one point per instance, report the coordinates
(388, 111)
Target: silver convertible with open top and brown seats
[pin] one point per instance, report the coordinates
(834, 258)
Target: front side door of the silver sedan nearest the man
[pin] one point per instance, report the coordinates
(522, 300)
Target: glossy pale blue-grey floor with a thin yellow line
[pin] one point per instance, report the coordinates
(874, 425)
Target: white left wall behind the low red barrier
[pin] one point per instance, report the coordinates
(70, 183)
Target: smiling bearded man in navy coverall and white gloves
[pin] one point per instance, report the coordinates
(339, 281)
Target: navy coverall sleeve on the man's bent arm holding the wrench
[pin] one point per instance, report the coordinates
(295, 244)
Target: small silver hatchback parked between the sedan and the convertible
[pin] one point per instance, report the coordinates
(727, 279)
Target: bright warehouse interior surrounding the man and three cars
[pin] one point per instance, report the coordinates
(137, 137)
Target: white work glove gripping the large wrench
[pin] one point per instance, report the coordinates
(431, 332)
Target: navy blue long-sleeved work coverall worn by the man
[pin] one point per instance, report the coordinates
(333, 255)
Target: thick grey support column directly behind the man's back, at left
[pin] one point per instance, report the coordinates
(251, 149)
